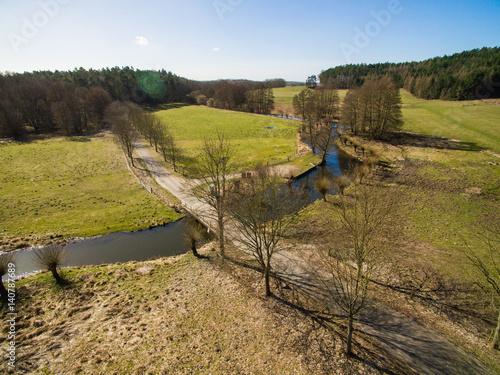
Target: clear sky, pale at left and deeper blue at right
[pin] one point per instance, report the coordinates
(233, 39)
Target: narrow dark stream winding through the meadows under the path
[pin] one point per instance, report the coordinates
(168, 240)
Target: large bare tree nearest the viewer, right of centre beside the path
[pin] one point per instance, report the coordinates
(344, 273)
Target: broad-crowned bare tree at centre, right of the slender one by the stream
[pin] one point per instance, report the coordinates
(262, 209)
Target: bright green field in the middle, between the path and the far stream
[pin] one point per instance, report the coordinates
(253, 142)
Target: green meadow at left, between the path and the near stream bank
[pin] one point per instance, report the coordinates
(72, 188)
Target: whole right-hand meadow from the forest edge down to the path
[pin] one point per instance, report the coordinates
(443, 176)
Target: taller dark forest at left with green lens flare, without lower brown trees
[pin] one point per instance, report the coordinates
(75, 101)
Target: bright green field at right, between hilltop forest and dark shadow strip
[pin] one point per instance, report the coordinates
(467, 121)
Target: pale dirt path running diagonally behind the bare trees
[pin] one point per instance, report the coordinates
(423, 349)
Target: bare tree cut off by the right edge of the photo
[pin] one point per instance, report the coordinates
(487, 262)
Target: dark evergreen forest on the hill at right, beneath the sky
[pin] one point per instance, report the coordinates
(471, 74)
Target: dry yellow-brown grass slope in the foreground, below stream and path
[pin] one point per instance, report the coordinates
(174, 316)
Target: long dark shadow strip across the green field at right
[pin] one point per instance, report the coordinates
(429, 141)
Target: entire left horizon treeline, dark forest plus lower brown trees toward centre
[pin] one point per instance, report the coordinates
(72, 102)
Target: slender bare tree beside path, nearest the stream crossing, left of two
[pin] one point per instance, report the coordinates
(215, 164)
